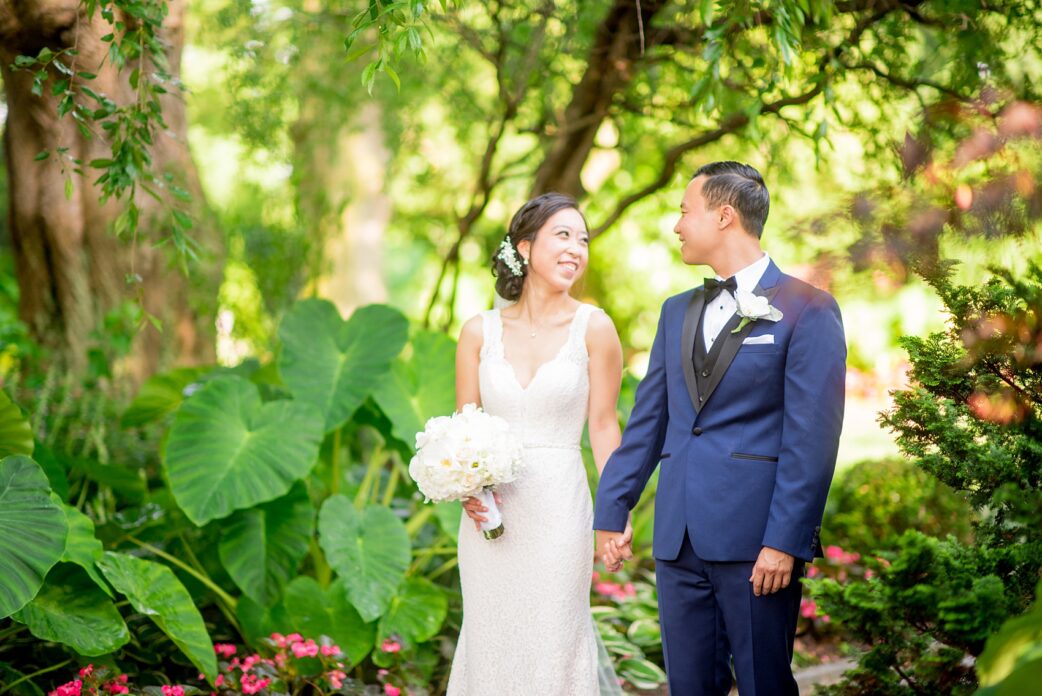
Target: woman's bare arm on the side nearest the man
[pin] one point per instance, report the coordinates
(606, 378)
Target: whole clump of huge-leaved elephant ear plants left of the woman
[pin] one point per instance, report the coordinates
(267, 501)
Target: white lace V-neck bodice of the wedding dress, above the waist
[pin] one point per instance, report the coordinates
(552, 411)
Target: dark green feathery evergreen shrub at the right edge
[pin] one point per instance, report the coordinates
(972, 421)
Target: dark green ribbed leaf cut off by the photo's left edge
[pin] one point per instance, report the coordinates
(33, 532)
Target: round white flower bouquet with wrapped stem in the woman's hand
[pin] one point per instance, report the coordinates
(466, 455)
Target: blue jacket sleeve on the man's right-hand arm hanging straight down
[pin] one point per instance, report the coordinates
(815, 377)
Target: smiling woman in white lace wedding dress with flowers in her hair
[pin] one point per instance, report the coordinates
(547, 364)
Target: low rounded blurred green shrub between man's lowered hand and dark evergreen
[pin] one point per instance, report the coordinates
(873, 504)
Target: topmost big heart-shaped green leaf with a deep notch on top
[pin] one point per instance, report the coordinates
(334, 364)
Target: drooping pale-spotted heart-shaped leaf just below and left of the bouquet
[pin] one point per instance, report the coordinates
(370, 553)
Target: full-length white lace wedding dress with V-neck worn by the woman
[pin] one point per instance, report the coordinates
(527, 627)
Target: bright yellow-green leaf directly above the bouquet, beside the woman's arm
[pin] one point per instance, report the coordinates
(421, 387)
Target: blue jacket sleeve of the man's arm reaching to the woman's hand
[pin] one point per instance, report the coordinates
(630, 467)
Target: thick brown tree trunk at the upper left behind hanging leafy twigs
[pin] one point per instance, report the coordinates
(71, 268)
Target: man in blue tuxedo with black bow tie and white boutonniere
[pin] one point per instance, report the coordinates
(742, 407)
